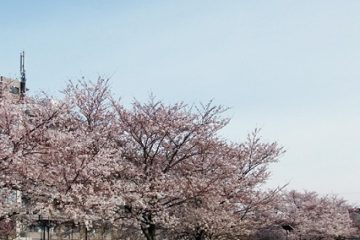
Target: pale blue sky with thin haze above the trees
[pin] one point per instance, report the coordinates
(290, 67)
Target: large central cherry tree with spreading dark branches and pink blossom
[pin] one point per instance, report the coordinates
(177, 169)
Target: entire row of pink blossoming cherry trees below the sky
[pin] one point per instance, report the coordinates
(153, 168)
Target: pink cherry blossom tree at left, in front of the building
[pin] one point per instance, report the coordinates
(57, 155)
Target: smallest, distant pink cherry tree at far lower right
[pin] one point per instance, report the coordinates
(313, 216)
